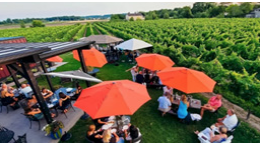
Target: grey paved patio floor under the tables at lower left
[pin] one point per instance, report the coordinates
(18, 123)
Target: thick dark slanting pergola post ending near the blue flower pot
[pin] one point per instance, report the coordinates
(33, 83)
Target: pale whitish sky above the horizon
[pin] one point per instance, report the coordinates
(19, 10)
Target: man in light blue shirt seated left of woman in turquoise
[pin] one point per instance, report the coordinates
(164, 103)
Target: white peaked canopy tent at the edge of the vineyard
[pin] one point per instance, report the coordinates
(133, 44)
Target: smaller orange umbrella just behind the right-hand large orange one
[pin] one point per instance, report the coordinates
(154, 61)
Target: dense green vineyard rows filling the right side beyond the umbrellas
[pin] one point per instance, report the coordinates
(227, 50)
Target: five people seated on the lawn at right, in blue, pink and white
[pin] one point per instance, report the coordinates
(223, 125)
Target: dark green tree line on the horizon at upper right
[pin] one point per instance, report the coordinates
(199, 10)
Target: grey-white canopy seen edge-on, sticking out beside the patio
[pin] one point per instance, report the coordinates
(74, 75)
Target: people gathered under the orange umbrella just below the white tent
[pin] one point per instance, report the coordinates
(144, 75)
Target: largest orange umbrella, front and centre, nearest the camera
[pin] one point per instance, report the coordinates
(110, 98)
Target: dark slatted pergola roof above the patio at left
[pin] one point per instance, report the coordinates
(14, 51)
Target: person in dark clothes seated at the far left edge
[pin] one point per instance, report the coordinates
(7, 97)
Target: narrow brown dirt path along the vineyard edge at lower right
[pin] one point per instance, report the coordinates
(241, 113)
